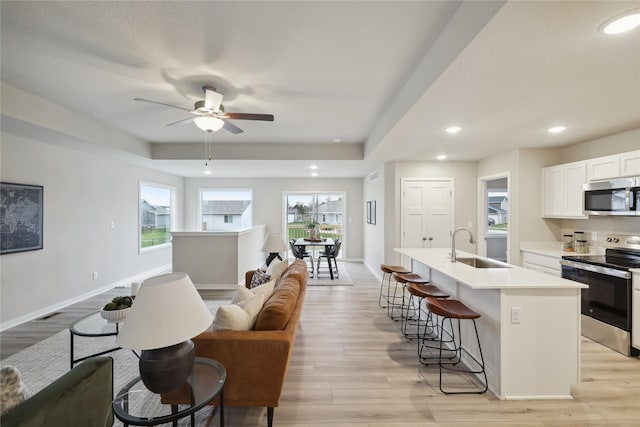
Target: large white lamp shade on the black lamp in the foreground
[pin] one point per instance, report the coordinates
(167, 310)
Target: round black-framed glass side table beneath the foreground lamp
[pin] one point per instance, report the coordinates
(136, 405)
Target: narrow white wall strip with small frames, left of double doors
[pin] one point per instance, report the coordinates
(373, 189)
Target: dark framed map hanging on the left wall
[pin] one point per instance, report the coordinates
(21, 217)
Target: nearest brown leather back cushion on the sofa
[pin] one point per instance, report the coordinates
(277, 309)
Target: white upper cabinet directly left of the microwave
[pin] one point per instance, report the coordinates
(563, 195)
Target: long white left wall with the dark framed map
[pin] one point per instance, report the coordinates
(83, 193)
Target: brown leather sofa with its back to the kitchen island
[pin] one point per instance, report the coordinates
(257, 360)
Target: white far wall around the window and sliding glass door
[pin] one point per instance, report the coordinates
(268, 204)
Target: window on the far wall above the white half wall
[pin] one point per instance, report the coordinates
(225, 209)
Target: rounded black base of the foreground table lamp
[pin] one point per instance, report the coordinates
(165, 369)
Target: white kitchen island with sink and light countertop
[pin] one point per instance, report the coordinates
(530, 324)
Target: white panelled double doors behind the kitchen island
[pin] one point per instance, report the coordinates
(427, 207)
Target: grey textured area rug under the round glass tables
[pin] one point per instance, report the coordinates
(44, 362)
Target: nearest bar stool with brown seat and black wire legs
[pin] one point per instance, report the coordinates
(454, 309)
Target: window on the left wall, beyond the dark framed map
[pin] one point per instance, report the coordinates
(157, 203)
